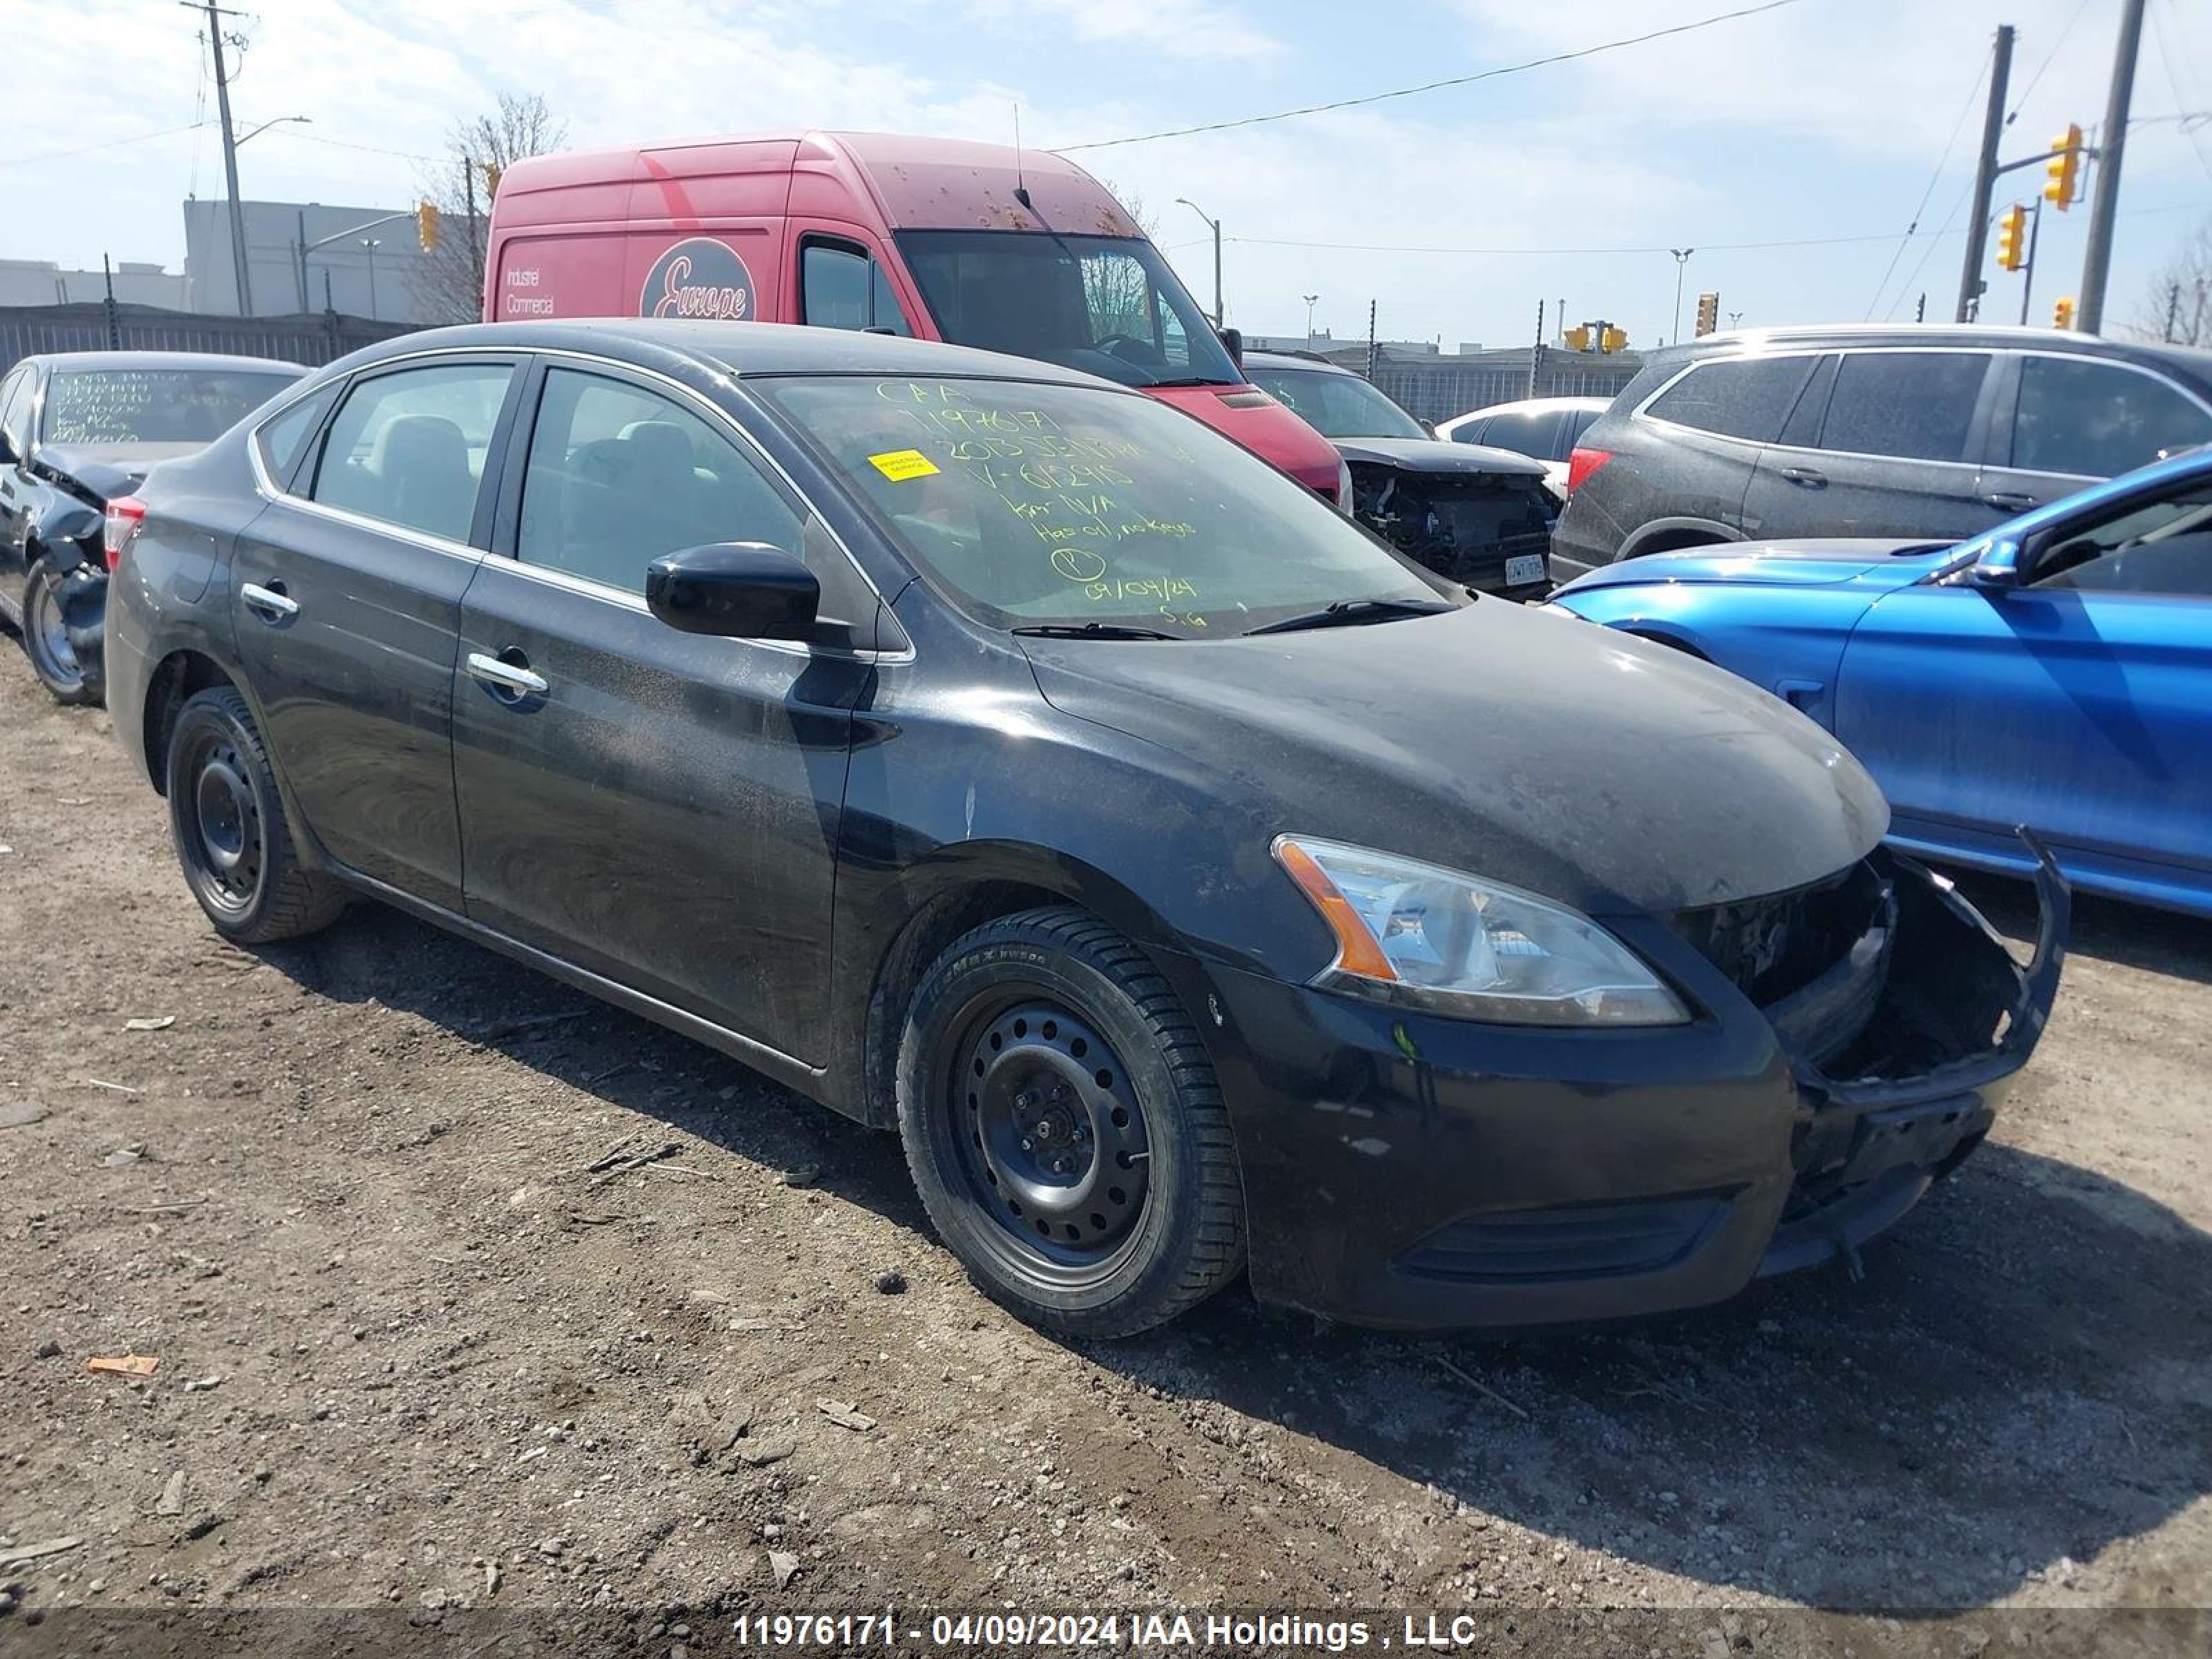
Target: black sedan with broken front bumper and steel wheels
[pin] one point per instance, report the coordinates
(1003, 758)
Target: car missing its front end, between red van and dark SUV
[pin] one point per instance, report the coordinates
(1479, 517)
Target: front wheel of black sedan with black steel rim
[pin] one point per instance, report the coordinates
(1065, 1127)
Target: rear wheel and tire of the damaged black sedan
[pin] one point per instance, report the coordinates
(229, 826)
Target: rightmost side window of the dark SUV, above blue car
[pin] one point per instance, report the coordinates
(2100, 419)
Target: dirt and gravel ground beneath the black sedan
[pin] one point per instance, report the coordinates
(415, 1353)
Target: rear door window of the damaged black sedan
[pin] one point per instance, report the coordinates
(410, 448)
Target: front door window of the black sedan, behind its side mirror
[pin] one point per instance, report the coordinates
(618, 477)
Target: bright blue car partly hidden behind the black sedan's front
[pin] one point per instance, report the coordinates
(2052, 674)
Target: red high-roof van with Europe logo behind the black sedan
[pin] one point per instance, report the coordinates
(979, 244)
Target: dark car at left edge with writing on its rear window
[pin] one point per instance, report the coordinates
(76, 432)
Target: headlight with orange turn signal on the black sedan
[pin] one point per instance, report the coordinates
(1470, 948)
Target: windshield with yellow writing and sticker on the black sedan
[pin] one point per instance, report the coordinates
(1067, 505)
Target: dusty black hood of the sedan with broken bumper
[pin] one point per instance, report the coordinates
(1514, 744)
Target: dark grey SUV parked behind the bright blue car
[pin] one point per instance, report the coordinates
(1930, 432)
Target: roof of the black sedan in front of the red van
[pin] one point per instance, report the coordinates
(744, 351)
